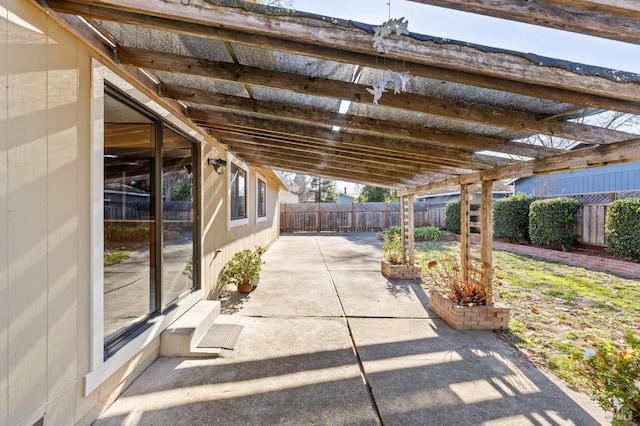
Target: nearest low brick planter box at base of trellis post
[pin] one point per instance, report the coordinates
(478, 317)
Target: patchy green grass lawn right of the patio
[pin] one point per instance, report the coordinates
(557, 310)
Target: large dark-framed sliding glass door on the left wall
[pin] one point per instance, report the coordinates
(149, 220)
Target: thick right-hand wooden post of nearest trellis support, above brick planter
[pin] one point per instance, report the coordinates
(486, 238)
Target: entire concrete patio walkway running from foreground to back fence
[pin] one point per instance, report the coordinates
(327, 340)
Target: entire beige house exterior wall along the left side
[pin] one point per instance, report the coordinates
(46, 246)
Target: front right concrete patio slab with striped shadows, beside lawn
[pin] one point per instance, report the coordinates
(424, 372)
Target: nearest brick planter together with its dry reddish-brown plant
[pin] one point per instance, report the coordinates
(462, 303)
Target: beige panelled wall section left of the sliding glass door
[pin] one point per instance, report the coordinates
(44, 199)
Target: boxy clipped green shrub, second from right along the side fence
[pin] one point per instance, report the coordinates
(553, 222)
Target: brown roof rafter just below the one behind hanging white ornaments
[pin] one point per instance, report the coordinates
(353, 123)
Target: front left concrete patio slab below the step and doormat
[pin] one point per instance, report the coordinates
(283, 371)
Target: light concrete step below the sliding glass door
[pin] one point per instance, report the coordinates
(181, 338)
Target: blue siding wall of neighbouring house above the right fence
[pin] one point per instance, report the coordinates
(621, 177)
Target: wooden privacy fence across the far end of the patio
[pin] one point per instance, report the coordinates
(318, 217)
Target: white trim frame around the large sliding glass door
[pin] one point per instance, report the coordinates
(100, 370)
